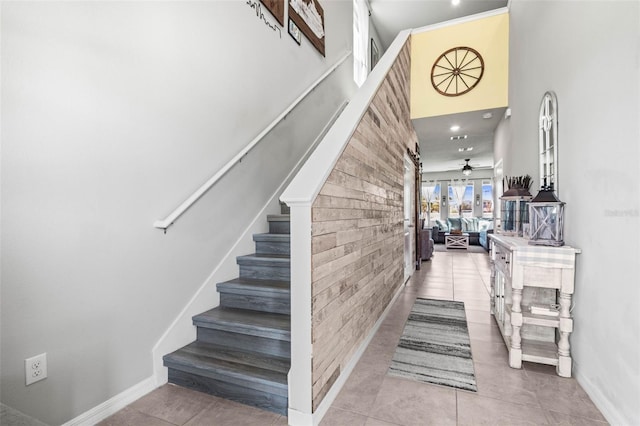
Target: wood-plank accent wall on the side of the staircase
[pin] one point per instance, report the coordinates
(357, 230)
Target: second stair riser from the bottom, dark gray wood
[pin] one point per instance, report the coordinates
(280, 348)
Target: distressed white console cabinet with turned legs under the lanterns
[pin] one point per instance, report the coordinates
(522, 276)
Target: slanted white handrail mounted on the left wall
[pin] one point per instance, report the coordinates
(169, 220)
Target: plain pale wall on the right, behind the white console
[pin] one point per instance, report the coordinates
(587, 52)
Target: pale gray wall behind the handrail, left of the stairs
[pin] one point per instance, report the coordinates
(112, 114)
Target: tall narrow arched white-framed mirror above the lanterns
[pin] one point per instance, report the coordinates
(548, 139)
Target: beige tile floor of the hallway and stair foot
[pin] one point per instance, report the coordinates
(534, 395)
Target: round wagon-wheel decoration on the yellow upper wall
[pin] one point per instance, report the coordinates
(457, 71)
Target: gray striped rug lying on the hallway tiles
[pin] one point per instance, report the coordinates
(435, 346)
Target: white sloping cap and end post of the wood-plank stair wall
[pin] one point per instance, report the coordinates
(299, 196)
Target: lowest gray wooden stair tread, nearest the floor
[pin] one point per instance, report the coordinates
(218, 361)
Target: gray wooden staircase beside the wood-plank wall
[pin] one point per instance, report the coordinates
(243, 346)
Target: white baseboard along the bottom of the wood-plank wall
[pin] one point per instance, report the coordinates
(302, 419)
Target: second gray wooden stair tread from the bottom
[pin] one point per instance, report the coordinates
(264, 324)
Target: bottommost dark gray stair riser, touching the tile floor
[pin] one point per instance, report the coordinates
(264, 400)
